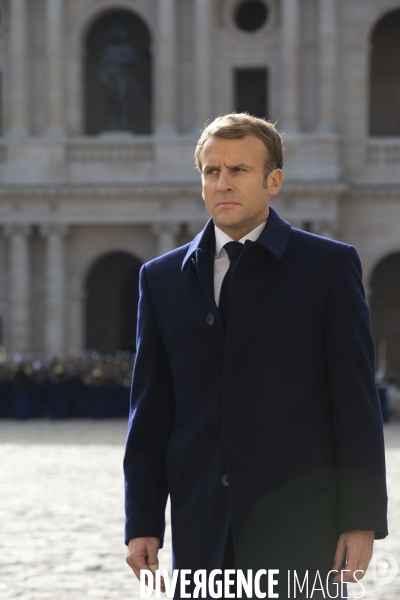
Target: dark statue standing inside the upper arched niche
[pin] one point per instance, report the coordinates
(117, 62)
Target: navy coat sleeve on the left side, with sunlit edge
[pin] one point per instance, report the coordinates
(150, 425)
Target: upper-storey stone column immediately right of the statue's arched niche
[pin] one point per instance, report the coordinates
(165, 80)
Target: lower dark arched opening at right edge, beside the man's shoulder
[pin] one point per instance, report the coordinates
(385, 313)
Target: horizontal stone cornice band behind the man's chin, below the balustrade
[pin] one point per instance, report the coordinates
(166, 202)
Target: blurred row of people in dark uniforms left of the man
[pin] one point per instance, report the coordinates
(82, 385)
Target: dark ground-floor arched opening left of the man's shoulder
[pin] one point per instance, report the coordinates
(112, 294)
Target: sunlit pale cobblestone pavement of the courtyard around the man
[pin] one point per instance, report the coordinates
(61, 513)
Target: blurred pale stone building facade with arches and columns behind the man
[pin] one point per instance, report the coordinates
(101, 105)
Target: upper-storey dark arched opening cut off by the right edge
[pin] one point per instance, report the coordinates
(385, 76)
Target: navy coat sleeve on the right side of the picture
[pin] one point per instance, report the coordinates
(356, 410)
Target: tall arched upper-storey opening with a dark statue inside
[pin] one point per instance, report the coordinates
(118, 74)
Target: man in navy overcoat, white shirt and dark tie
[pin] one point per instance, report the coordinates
(253, 397)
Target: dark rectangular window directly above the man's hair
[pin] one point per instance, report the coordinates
(251, 92)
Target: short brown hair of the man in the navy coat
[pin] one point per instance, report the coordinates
(237, 126)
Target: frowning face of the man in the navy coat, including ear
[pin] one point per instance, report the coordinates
(234, 187)
